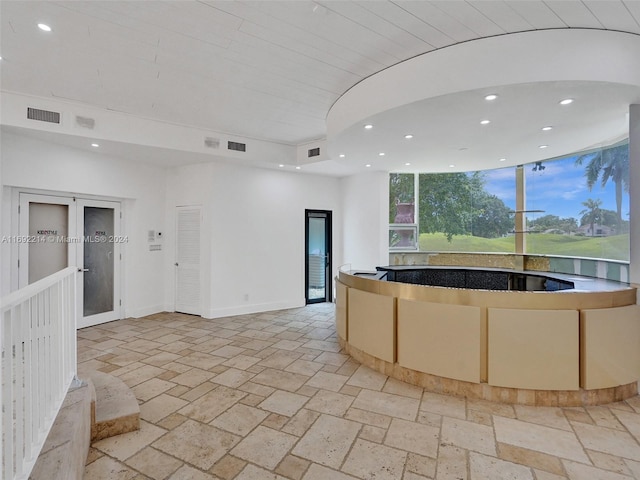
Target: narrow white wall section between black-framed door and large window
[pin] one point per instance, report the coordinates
(365, 199)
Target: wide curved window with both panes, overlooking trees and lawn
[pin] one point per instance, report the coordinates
(575, 206)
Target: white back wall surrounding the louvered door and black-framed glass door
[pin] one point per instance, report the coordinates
(253, 228)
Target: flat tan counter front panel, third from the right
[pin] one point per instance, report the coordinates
(440, 339)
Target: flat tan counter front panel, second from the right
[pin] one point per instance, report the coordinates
(533, 349)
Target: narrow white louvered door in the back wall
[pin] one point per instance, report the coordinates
(188, 223)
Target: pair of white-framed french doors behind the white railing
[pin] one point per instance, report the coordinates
(56, 232)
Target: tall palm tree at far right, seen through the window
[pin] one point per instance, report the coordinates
(610, 163)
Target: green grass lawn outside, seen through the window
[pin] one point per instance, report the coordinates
(614, 247)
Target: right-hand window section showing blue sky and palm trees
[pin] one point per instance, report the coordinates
(580, 205)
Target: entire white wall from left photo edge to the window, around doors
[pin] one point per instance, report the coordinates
(253, 226)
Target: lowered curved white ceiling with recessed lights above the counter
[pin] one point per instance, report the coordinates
(452, 139)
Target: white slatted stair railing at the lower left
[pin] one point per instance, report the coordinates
(39, 362)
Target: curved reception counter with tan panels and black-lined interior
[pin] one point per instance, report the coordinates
(517, 337)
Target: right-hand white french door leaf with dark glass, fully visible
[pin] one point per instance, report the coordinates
(98, 259)
